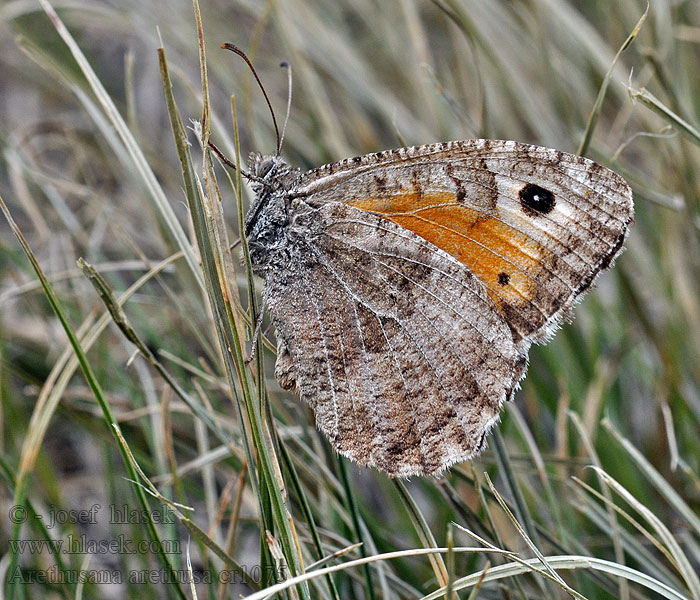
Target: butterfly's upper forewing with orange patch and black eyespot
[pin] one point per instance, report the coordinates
(534, 225)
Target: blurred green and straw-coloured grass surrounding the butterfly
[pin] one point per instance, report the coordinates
(618, 388)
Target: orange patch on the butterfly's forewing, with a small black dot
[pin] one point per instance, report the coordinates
(500, 256)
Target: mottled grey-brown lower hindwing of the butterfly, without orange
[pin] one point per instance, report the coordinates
(393, 343)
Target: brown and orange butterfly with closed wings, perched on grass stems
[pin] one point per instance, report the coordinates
(407, 286)
